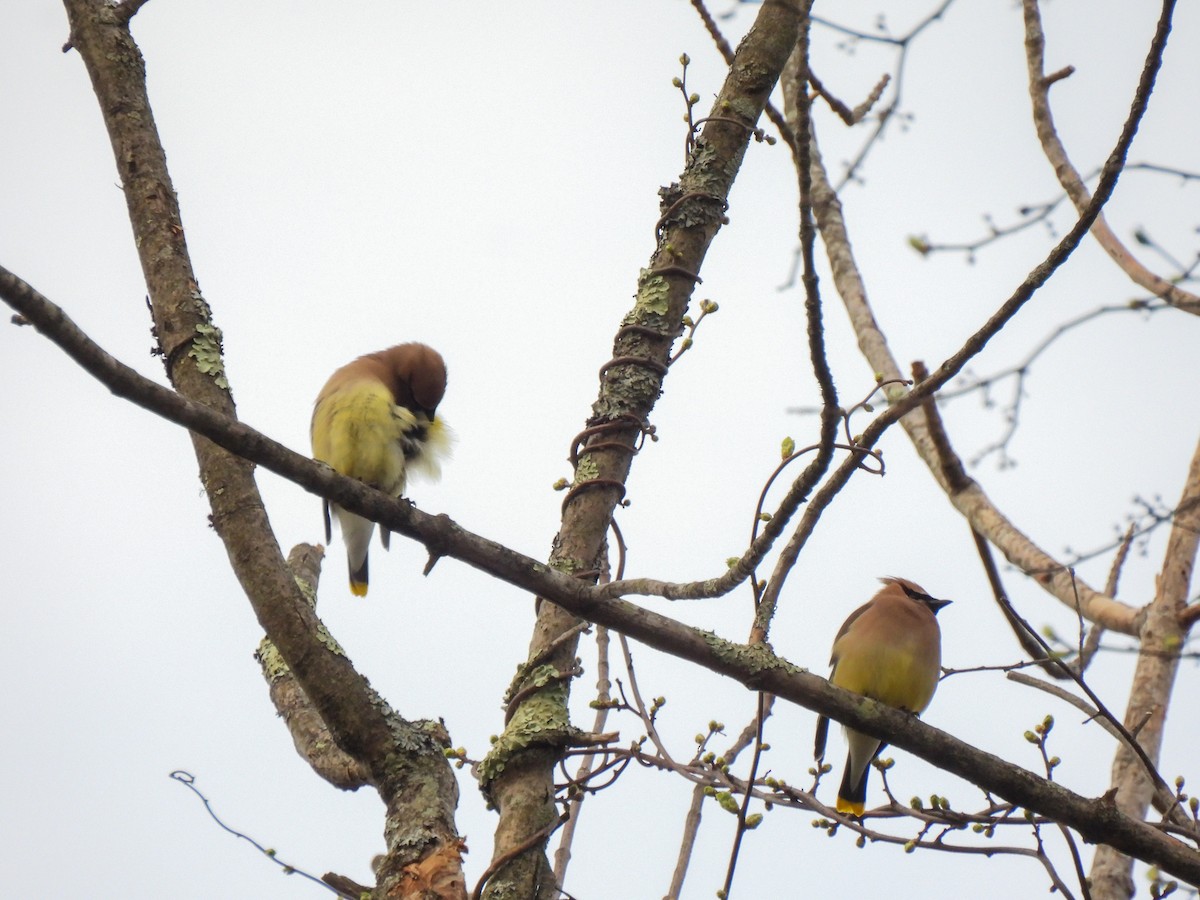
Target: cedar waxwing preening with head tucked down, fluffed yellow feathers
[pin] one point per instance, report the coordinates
(375, 421)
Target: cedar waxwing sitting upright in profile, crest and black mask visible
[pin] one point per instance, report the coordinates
(889, 650)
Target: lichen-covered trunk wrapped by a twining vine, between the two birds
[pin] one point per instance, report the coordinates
(518, 776)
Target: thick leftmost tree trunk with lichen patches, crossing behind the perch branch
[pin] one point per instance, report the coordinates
(405, 759)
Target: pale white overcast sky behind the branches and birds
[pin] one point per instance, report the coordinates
(484, 177)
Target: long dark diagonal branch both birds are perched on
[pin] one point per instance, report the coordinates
(757, 668)
